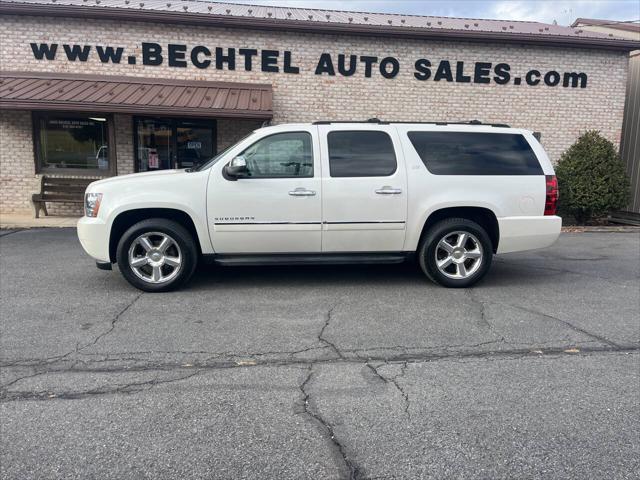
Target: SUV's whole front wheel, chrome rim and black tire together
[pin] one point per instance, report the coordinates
(157, 255)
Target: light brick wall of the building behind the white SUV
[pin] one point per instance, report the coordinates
(560, 114)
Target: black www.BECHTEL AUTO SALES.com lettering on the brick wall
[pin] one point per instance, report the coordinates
(328, 64)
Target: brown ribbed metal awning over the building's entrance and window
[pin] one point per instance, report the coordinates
(99, 93)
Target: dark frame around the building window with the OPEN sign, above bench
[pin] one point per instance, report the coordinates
(40, 169)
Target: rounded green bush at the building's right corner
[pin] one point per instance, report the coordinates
(591, 178)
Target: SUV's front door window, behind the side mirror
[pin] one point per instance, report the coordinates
(280, 155)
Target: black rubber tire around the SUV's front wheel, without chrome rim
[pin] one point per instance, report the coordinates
(184, 247)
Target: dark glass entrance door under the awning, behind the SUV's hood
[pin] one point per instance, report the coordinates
(163, 143)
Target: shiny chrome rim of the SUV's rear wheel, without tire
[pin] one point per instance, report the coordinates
(459, 255)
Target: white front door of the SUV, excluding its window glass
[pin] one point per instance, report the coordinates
(265, 215)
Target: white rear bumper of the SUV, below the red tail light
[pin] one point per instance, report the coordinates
(528, 233)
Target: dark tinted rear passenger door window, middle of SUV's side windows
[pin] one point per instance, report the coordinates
(361, 154)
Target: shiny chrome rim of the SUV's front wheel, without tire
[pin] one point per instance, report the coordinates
(155, 257)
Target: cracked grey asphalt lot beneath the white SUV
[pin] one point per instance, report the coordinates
(341, 372)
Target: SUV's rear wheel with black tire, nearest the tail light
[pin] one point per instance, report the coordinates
(456, 252)
